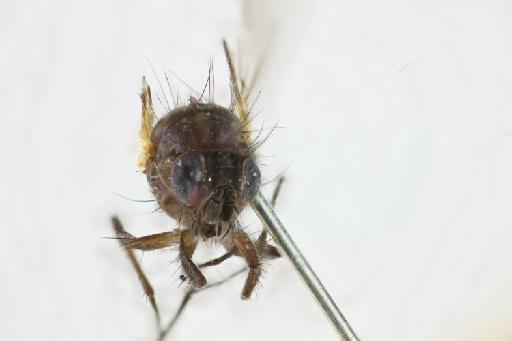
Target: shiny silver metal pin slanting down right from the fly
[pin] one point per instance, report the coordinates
(283, 239)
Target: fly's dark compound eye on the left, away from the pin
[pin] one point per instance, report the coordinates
(187, 174)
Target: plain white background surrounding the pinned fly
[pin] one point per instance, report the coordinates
(396, 143)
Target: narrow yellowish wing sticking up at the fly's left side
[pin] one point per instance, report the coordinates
(147, 147)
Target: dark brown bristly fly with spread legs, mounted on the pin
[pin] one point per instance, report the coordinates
(200, 164)
